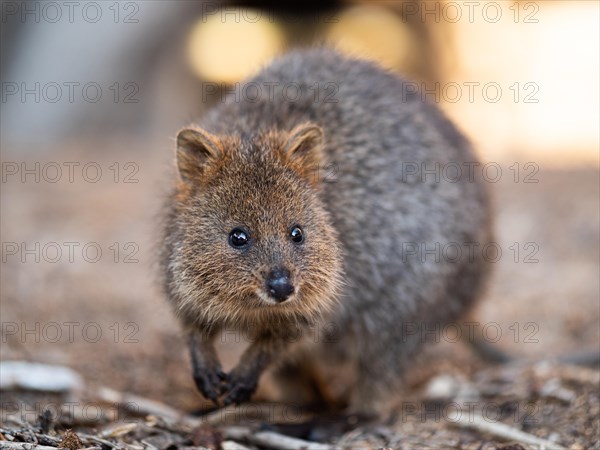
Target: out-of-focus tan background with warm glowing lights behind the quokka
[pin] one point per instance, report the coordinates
(93, 94)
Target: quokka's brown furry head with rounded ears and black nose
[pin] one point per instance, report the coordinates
(254, 240)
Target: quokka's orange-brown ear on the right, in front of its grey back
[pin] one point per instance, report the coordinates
(304, 150)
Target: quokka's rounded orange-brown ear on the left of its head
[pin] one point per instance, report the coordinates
(196, 149)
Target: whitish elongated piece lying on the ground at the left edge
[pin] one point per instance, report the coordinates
(38, 377)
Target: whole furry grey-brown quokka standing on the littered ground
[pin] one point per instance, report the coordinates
(323, 193)
